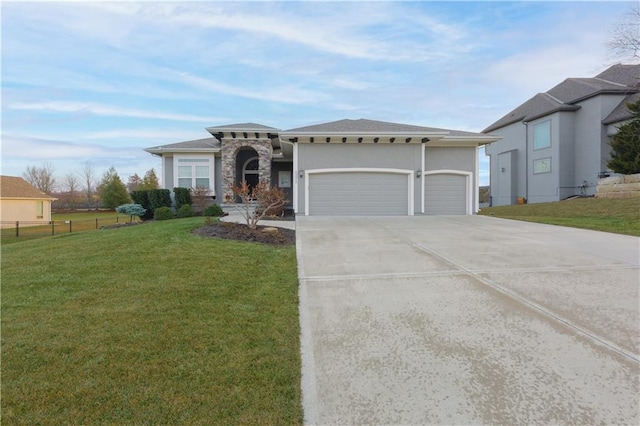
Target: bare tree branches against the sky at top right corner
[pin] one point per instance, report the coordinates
(625, 35)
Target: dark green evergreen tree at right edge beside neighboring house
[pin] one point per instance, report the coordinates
(625, 145)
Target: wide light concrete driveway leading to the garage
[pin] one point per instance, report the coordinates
(467, 320)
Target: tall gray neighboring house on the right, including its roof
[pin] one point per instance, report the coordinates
(556, 144)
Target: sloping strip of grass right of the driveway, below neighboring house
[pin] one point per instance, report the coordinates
(620, 216)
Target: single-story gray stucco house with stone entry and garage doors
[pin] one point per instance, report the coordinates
(346, 167)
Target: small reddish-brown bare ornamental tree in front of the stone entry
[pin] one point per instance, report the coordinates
(258, 202)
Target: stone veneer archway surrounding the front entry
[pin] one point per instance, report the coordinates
(229, 151)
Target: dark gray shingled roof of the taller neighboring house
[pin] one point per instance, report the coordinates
(622, 79)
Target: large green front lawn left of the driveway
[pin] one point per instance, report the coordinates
(149, 325)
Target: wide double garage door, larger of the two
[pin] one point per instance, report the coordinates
(358, 193)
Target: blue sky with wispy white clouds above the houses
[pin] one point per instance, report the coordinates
(89, 81)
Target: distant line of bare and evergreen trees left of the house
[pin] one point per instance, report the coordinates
(84, 187)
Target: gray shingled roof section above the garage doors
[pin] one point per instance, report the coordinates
(372, 126)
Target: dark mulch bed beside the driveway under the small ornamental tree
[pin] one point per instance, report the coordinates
(241, 232)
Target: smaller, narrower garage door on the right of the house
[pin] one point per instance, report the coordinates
(445, 194)
